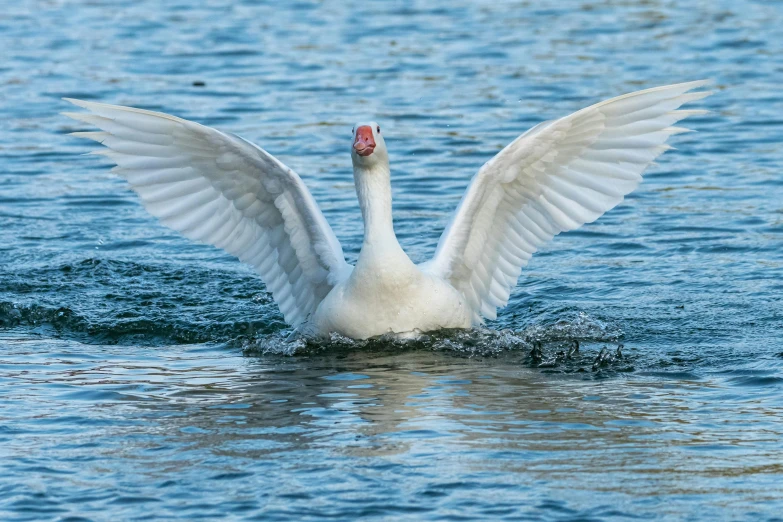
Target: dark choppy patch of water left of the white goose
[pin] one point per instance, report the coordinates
(142, 311)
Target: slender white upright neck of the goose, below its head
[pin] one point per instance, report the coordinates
(373, 188)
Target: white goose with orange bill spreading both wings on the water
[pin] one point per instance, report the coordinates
(220, 189)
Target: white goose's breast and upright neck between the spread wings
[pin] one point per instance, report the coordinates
(386, 292)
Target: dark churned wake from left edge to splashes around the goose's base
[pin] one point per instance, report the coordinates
(97, 301)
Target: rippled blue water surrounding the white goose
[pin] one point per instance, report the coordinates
(142, 375)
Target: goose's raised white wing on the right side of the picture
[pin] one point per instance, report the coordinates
(555, 177)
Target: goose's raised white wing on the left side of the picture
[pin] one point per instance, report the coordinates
(223, 190)
